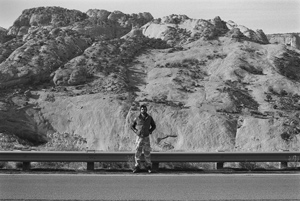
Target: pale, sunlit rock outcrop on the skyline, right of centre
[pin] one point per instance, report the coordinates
(179, 29)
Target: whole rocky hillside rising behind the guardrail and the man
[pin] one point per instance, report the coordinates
(74, 81)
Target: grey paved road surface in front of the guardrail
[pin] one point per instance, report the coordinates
(150, 187)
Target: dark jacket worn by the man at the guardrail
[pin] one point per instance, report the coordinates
(143, 127)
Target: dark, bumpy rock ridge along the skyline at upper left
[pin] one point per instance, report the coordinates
(96, 23)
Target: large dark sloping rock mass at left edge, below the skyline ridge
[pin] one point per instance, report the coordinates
(45, 50)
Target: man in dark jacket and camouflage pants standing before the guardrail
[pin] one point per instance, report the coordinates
(143, 125)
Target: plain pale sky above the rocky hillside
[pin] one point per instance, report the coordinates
(272, 16)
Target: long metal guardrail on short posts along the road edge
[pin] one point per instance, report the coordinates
(157, 157)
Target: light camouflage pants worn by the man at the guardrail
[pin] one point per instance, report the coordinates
(143, 144)
